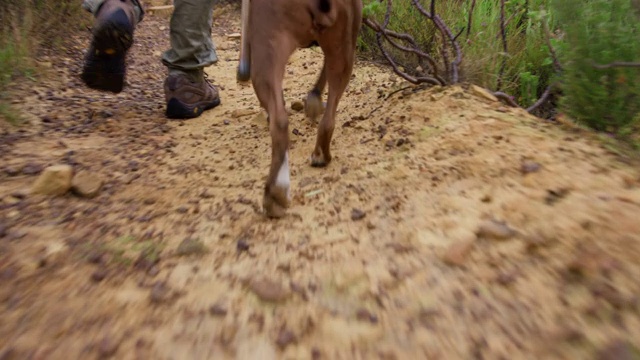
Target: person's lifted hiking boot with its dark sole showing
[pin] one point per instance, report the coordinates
(104, 66)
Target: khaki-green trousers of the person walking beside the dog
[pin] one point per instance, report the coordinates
(190, 33)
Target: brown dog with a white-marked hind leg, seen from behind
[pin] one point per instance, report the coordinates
(271, 31)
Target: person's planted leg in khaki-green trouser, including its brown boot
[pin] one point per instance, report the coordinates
(187, 92)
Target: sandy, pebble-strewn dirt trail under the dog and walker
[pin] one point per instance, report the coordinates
(447, 227)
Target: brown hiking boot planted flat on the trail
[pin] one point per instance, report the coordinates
(187, 98)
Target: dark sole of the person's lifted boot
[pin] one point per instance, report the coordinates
(104, 67)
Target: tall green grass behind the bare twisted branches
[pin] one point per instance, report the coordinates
(528, 67)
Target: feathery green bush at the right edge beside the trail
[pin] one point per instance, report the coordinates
(600, 32)
